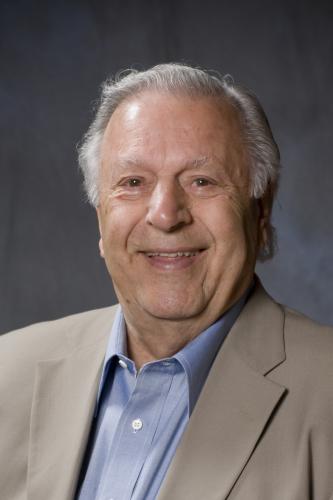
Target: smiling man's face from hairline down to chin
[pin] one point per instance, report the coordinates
(178, 229)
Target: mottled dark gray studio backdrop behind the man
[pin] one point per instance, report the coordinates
(53, 58)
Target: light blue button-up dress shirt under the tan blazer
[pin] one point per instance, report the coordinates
(141, 415)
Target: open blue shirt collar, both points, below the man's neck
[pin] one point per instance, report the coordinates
(196, 357)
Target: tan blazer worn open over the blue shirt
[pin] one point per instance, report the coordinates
(262, 428)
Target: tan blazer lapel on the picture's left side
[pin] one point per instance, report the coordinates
(62, 411)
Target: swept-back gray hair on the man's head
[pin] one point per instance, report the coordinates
(194, 82)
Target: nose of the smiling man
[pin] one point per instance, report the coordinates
(168, 208)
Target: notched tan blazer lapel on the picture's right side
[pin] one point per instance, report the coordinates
(233, 409)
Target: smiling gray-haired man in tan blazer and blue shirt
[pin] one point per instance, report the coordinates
(198, 386)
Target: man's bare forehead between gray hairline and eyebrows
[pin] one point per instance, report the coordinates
(153, 125)
